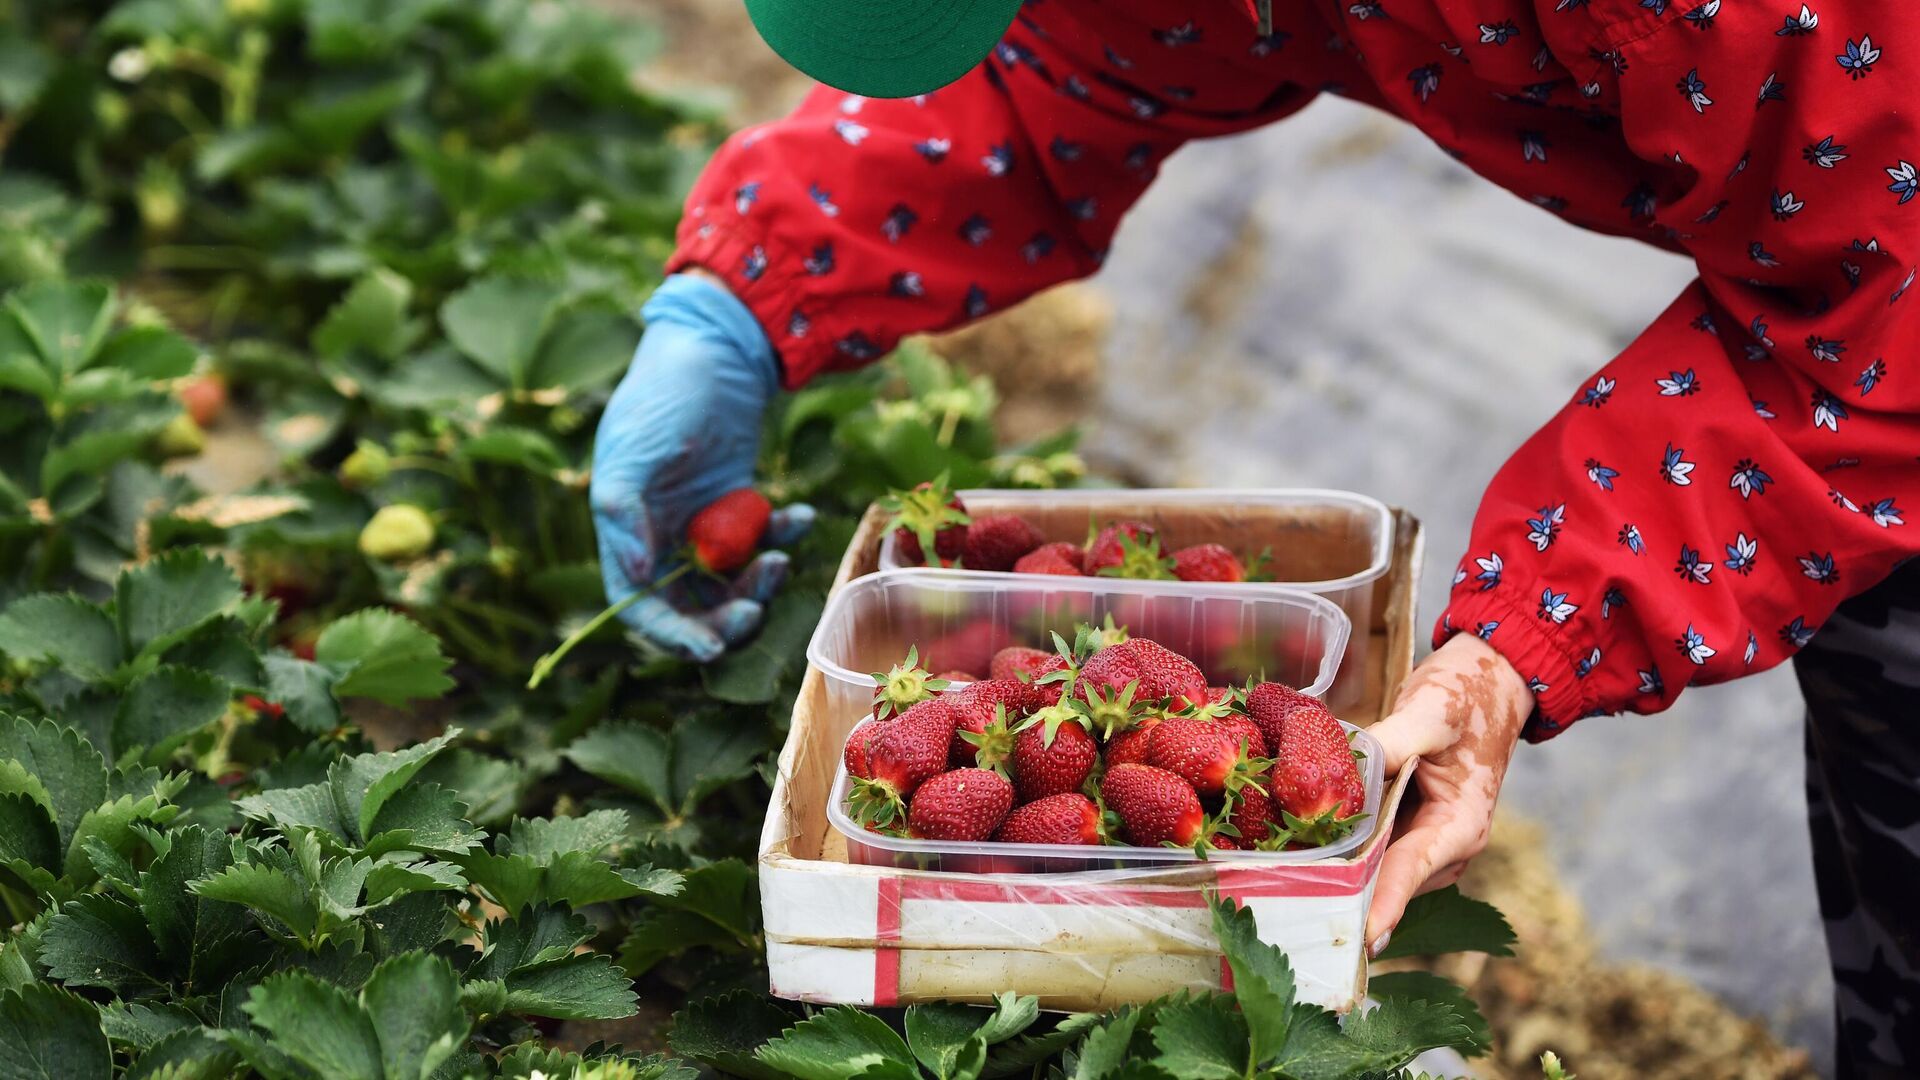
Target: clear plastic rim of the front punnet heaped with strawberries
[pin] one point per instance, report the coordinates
(990, 858)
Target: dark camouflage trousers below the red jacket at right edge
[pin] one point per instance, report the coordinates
(1861, 677)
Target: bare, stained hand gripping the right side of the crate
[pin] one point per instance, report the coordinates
(1460, 714)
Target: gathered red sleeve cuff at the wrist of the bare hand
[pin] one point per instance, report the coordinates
(1537, 650)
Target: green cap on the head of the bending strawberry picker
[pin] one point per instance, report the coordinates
(884, 49)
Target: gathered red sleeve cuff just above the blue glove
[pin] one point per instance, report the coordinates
(773, 297)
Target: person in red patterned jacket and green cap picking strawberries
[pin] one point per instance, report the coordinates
(1731, 485)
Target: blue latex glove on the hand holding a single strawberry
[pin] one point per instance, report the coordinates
(681, 431)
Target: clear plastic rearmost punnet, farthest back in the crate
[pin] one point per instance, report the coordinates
(1328, 543)
